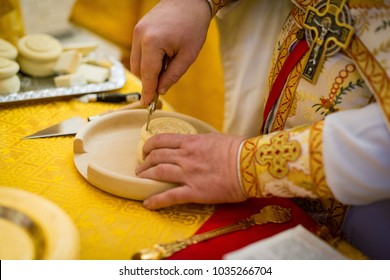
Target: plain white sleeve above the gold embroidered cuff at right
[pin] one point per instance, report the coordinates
(356, 152)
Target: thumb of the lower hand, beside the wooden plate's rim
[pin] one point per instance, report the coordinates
(178, 195)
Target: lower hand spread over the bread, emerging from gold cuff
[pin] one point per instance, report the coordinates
(204, 166)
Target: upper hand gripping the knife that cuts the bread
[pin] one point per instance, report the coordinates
(173, 28)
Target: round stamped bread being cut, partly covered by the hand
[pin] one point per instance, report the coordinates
(163, 125)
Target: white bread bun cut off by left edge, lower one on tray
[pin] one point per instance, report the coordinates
(9, 81)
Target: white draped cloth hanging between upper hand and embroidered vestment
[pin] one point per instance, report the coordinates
(247, 40)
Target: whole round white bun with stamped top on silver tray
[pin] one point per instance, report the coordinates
(38, 53)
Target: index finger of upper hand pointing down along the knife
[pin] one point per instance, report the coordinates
(150, 69)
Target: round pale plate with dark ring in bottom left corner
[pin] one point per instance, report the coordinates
(32, 227)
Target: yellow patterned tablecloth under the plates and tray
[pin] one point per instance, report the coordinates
(110, 227)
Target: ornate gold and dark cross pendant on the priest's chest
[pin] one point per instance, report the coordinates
(328, 28)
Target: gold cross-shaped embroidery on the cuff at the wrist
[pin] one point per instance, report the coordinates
(278, 153)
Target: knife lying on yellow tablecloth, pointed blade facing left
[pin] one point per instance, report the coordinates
(73, 125)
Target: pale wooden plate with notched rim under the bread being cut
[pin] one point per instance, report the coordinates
(105, 152)
